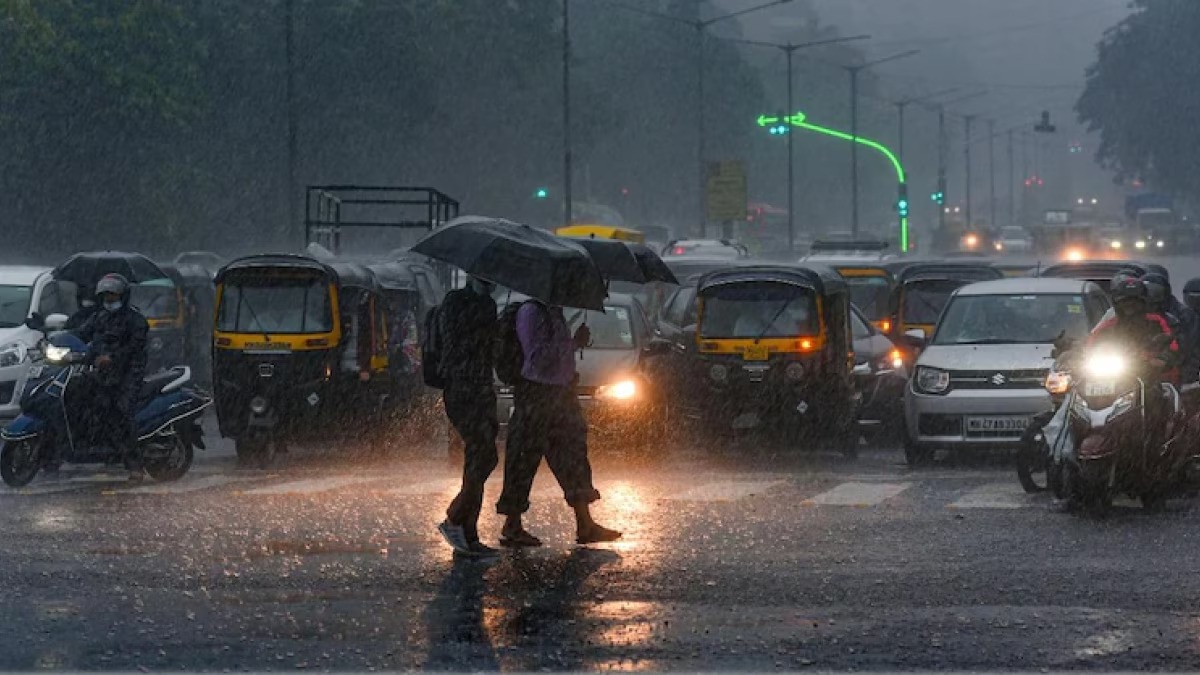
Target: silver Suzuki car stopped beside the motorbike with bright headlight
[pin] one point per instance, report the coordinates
(981, 378)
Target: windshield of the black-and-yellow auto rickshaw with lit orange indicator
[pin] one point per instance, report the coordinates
(759, 309)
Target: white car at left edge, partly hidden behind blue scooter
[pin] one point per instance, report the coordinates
(25, 291)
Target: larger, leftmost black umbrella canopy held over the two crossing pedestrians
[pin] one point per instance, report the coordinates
(529, 261)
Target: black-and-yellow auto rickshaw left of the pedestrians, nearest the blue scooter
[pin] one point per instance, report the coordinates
(299, 347)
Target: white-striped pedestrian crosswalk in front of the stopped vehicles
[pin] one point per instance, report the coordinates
(849, 492)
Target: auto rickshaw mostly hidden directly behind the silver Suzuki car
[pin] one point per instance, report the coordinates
(923, 289)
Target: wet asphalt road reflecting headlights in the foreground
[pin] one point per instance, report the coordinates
(734, 559)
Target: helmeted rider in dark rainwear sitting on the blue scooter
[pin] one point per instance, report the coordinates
(117, 347)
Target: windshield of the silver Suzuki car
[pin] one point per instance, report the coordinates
(1013, 320)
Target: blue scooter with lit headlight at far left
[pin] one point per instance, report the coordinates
(53, 426)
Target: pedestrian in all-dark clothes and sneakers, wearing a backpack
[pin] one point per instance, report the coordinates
(466, 332)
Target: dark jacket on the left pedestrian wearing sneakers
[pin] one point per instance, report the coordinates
(469, 330)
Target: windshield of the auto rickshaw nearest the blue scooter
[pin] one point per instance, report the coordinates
(275, 306)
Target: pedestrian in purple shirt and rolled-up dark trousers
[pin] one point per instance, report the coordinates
(548, 422)
